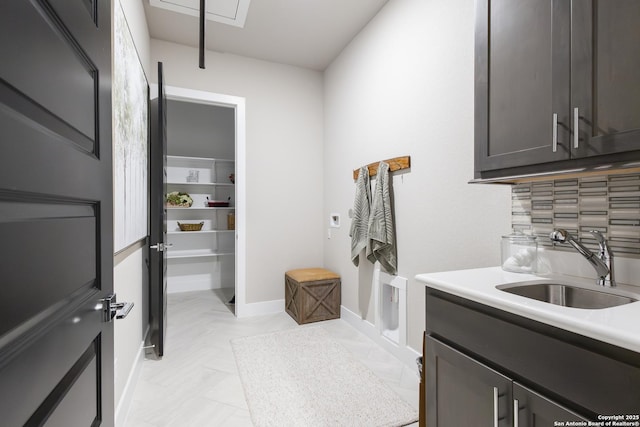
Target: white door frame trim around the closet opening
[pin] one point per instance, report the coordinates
(238, 104)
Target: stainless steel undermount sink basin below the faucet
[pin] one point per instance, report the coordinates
(568, 295)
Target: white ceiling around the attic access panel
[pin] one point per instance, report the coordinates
(304, 33)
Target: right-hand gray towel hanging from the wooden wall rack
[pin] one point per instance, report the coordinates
(382, 242)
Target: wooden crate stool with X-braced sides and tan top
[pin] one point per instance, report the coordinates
(312, 294)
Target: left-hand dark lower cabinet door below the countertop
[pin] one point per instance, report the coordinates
(462, 391)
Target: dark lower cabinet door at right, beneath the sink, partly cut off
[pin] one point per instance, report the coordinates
(535, 410)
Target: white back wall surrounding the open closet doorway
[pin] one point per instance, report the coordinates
(284, 139)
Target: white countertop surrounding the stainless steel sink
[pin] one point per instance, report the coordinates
(619, 325)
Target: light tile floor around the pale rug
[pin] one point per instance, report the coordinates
(196, 384)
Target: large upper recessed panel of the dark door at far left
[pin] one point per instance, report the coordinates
(70, 74)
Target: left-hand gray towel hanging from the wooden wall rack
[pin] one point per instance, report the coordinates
(360, 219)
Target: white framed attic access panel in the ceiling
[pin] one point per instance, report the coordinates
(231, 12)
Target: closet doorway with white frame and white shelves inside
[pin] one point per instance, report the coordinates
(206, 159)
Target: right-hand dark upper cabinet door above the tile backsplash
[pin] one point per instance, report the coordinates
(606, 77)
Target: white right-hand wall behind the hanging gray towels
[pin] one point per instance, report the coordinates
(404, 86)
